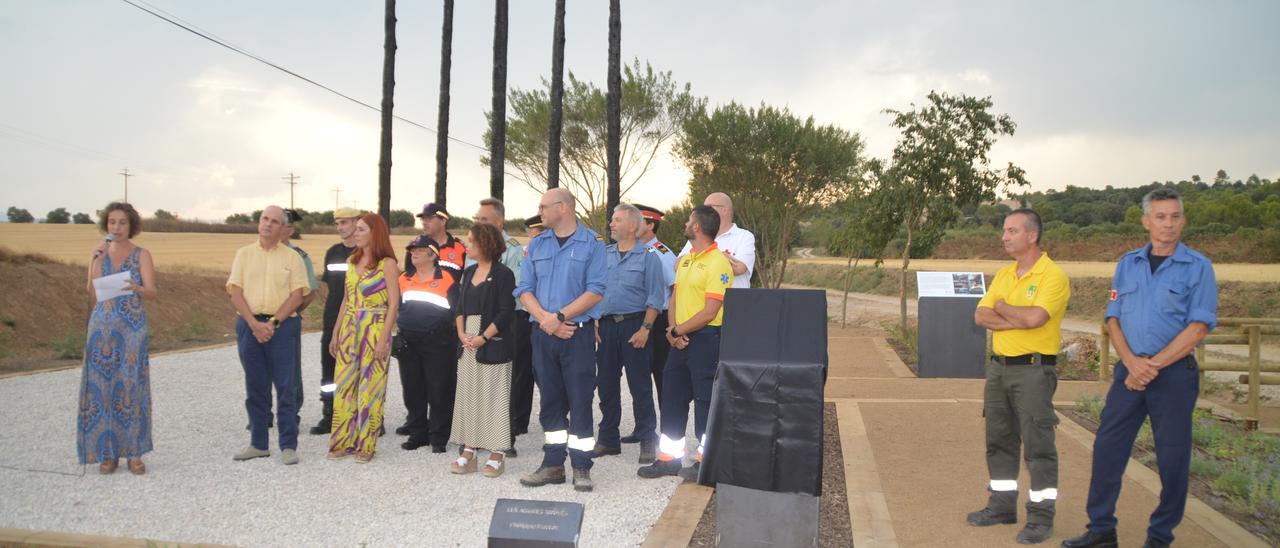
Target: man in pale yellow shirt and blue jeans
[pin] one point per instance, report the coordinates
(267, 286)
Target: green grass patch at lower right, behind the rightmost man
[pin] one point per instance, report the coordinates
(1233, 469)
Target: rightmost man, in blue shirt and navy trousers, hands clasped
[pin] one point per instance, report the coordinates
(1164, 302)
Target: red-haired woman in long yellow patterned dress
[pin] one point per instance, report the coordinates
(363, 341)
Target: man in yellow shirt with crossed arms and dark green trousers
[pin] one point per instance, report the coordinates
(1025, 309)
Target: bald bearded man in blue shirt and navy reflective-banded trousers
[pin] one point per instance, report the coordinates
(561, 284)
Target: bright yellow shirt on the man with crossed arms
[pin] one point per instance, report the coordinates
(1044, 286)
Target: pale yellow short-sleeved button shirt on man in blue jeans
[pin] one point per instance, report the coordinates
(268, 277)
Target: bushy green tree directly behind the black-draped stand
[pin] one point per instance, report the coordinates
(778, 167)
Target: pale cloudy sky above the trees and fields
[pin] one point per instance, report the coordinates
(1103, 93)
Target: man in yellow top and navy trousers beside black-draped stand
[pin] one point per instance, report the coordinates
(694, 314)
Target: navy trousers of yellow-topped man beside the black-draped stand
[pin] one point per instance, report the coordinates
(689, 377)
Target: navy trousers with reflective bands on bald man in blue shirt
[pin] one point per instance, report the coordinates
(566, 376)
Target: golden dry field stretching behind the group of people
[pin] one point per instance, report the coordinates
(175, 252)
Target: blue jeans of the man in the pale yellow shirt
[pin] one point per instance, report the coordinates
(267, 364)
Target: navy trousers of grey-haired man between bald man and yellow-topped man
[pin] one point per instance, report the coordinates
(612, 358)
